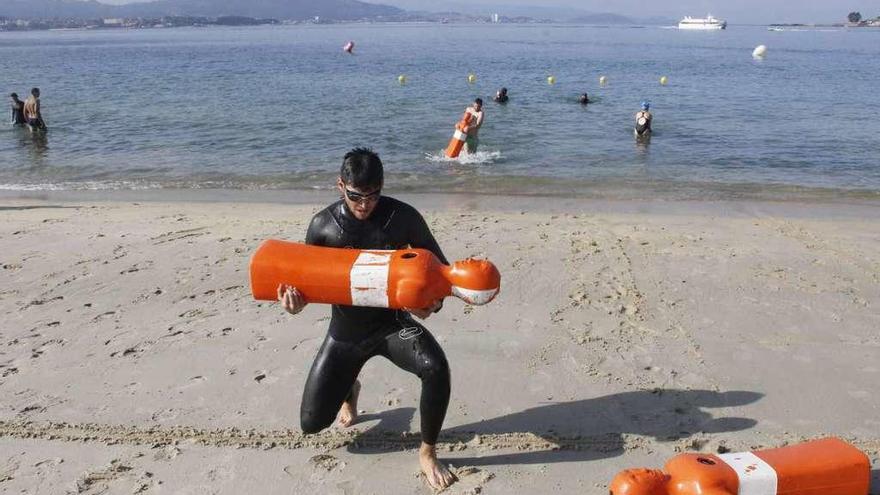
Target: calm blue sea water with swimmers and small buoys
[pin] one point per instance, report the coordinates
(277, 107)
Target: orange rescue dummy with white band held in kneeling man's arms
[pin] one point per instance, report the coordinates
(406, 278)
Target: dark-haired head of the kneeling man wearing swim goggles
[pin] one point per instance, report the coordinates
(360, 181)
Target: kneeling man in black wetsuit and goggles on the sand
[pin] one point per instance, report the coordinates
(364, 219)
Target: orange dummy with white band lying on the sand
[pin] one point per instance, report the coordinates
(821, 467)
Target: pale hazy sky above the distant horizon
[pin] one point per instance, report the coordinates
(734, 11)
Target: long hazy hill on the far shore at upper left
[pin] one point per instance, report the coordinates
(277, 9)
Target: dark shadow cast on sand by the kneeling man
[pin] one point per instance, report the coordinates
(586, 429)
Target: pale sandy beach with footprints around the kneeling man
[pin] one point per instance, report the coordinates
(134, 360)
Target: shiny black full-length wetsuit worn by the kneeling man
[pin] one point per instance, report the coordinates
(356, 334)
